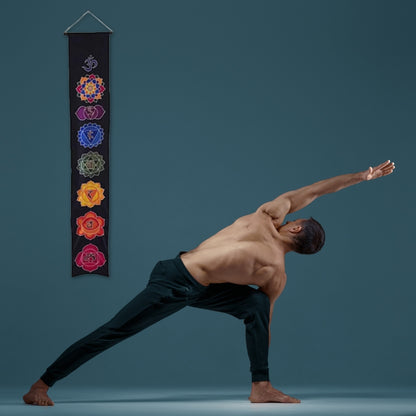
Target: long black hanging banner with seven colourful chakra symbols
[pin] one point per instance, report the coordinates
(89, 97)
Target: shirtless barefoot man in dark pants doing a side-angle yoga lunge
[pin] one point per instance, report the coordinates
(216, 275)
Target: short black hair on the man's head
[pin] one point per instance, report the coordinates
(310, 239)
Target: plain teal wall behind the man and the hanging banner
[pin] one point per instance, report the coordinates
(217, 107)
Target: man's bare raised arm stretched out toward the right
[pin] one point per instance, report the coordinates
(293, 201)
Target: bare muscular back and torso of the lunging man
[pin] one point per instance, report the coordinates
(247, 252)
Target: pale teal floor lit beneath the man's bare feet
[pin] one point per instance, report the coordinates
(225, 401)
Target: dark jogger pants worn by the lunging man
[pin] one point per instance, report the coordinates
(170, 288)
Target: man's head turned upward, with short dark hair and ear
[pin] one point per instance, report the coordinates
(307, 235)
